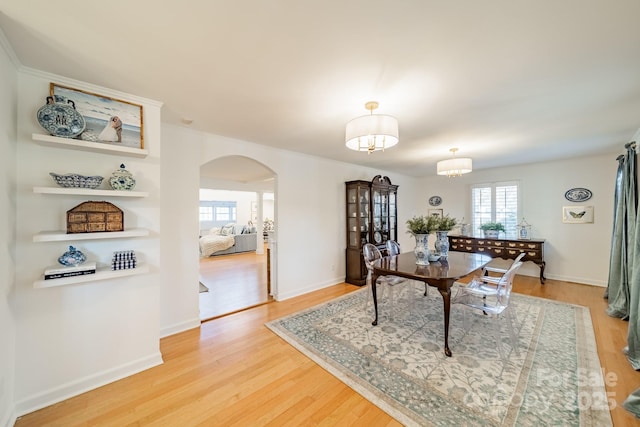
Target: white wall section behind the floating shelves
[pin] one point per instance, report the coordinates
(77, 337)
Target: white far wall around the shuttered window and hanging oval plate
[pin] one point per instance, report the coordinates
(573, 252)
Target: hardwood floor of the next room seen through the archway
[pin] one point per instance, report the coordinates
(235, 282)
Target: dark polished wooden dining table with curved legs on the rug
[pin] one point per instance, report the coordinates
(438, 274)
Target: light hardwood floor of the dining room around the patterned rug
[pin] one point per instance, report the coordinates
(233, 371)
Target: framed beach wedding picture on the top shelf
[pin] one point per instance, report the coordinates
(109, 120)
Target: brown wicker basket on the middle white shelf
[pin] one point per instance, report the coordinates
(93, 217)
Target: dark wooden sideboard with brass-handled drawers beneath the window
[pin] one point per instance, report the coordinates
(502, 248)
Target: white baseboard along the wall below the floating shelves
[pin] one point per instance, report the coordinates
(79, 386)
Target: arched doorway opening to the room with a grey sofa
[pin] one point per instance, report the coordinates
(239, 277)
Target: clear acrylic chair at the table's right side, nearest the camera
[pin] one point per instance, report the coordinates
(491, 295)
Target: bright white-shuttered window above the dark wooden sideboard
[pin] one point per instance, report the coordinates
(495, 202)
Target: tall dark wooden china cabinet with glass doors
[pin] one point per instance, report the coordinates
(371, 217)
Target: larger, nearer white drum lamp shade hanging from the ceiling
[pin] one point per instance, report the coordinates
(372, 133)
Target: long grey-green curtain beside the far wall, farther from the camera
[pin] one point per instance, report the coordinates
(623, 240)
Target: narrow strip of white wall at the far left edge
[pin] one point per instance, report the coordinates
(8, 123)
